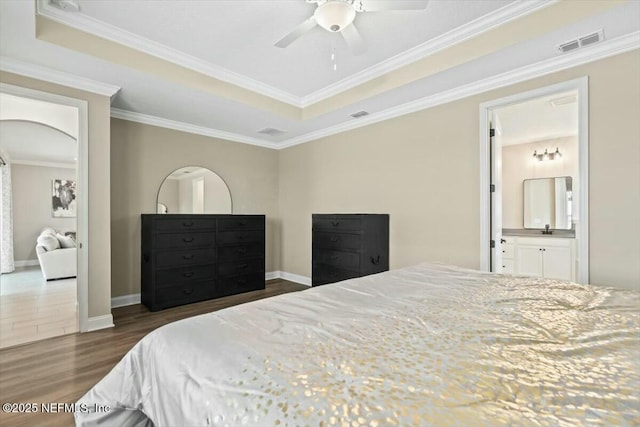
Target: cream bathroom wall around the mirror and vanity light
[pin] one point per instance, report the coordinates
(518, 164)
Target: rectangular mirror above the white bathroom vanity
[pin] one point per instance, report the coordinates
(547, 201)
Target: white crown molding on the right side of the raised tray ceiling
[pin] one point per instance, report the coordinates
(469, 30)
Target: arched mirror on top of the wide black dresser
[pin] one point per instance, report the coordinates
(193, 190)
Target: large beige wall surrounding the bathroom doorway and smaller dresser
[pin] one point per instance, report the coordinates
(423, 169)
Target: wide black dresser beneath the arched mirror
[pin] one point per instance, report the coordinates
(188, 257)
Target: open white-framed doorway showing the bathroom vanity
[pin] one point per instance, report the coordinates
(534, 169)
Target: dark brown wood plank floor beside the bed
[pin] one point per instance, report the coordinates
(63, 369)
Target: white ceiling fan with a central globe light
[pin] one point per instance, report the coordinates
(337, 16)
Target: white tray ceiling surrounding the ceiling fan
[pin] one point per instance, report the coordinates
(233, 41)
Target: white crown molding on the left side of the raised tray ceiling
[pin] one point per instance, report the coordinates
(106, 31)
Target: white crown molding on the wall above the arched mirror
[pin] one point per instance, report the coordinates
(189, 128)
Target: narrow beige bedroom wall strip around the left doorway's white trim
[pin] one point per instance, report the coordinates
(98, 192)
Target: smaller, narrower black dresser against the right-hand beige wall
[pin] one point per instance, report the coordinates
(345, 246)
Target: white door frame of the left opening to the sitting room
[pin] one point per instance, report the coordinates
(82, 172)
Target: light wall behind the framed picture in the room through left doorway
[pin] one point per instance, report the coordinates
(31, 192)
